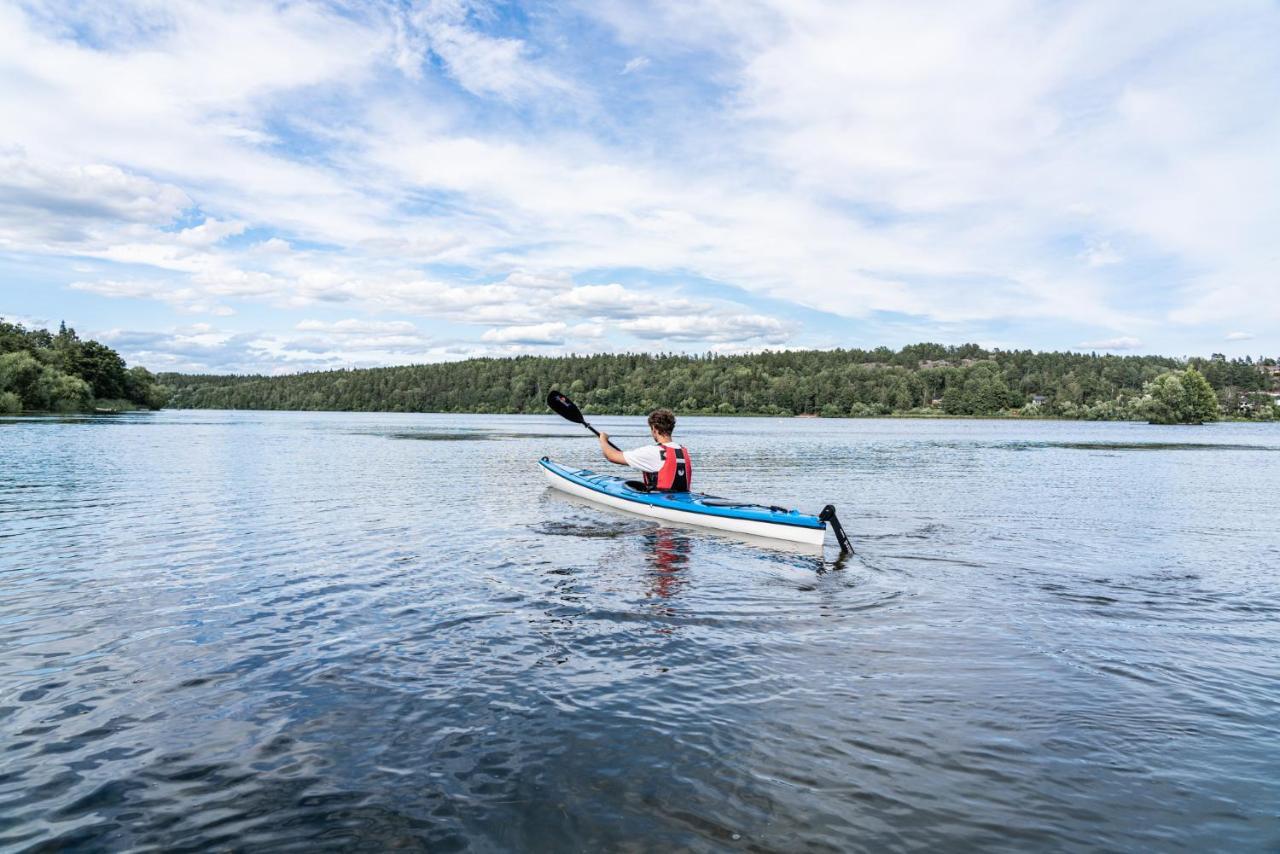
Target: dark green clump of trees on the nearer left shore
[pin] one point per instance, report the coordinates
(47, 372)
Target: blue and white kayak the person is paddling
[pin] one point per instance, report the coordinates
(688, 508)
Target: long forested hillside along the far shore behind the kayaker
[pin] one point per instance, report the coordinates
(917, 380)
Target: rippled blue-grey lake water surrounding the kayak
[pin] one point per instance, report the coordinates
(371, 632)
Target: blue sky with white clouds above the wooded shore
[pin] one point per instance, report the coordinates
(272, 188)
